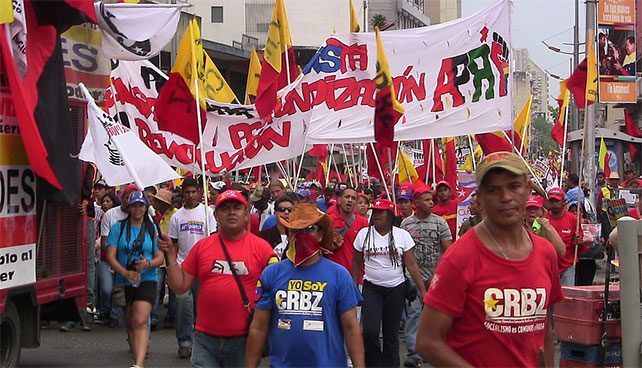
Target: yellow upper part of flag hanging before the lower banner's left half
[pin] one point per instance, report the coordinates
(189, 61)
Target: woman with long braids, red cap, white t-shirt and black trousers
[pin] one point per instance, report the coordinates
(382, 250)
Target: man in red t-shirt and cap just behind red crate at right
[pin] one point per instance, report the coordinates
(566, 225)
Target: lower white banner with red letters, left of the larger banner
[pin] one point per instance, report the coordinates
(234, 136)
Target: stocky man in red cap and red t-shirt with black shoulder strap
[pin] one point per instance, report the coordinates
(222, 316)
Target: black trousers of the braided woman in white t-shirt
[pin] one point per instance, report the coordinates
(382, 308)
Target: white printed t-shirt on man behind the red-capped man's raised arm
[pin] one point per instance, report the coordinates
(188, 227)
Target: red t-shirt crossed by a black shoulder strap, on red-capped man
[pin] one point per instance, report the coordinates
(220, 310)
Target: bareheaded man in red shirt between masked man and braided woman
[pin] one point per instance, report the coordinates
(344, 234)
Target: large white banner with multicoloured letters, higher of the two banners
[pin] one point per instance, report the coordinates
(452, 79)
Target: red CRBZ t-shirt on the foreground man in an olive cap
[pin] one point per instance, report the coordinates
(499, 306)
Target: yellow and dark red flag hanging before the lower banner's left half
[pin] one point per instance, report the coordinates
(176, 107)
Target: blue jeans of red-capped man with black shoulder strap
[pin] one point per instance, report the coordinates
(214, 351)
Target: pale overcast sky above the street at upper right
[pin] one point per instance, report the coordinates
(537, 20)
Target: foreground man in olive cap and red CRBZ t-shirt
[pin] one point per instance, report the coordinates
(488, 301)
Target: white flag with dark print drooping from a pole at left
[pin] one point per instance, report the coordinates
(118, 153)
